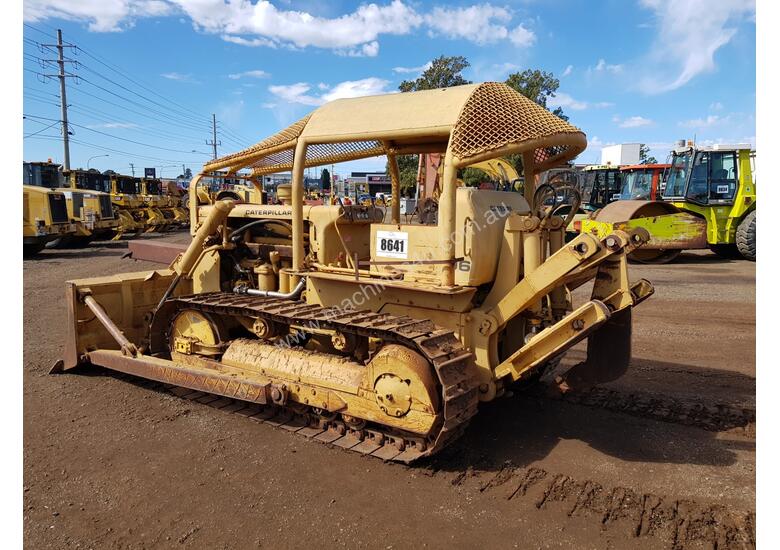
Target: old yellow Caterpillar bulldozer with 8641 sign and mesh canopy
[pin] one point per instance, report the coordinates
(382, 338)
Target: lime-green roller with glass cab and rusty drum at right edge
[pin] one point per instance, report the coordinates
(709, 201)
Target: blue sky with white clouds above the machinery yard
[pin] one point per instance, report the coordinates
(649, 71)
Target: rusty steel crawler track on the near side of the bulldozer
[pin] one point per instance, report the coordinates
(440, 347)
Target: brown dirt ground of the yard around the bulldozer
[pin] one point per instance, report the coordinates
(662, 458)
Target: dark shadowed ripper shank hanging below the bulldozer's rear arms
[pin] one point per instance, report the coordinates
(609, 353)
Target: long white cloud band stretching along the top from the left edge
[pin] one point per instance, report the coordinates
(261, 23)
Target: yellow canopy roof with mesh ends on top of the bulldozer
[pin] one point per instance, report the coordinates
(478, 121)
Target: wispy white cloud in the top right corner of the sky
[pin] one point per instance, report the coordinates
(689, 34)
